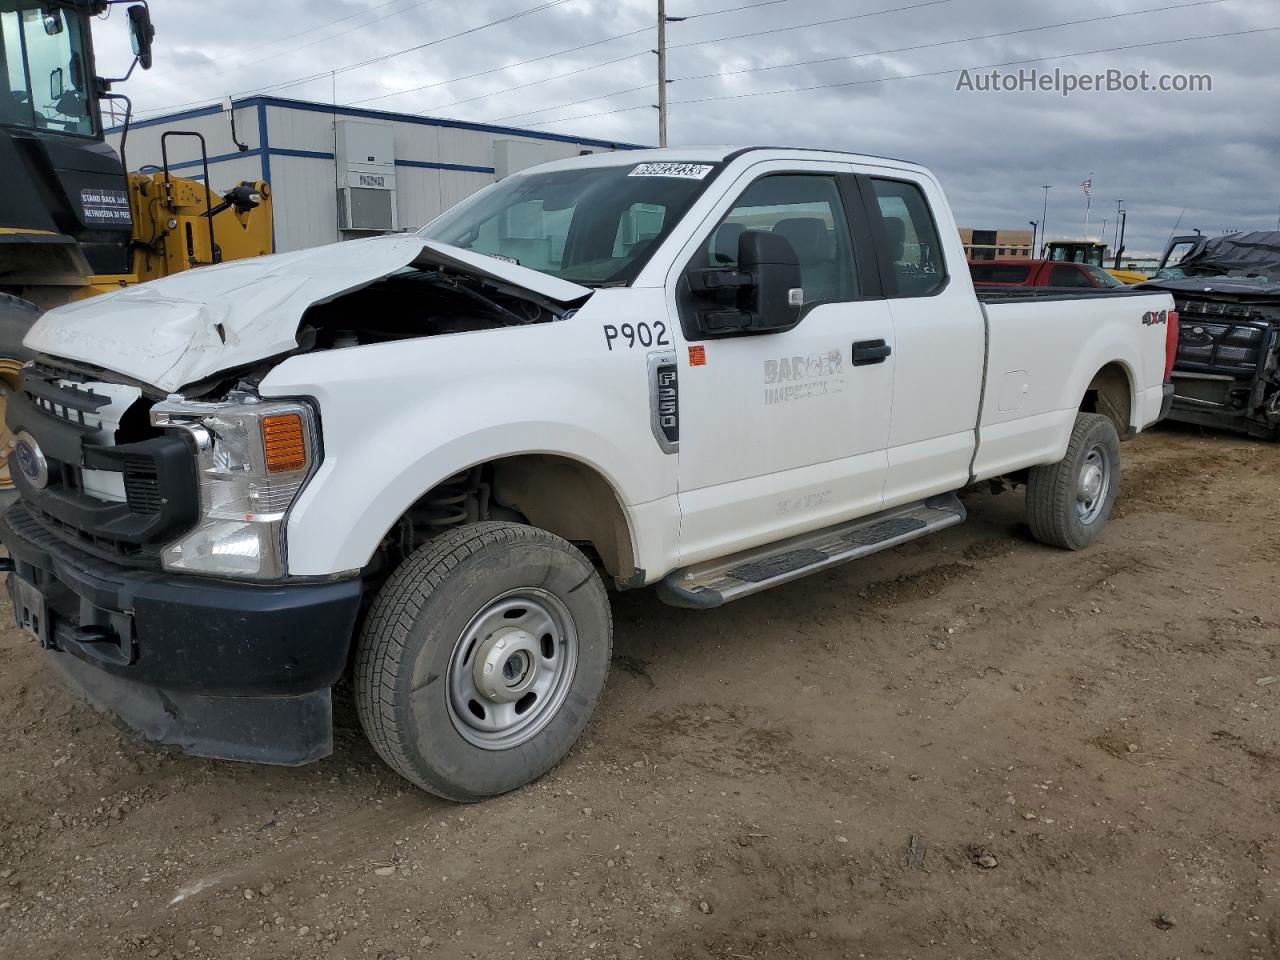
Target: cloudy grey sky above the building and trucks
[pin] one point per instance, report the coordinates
(886, 75)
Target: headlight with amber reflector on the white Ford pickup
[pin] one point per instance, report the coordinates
(254, 458)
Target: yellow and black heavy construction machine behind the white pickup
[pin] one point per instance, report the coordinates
(74, 223)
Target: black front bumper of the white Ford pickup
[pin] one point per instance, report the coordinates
(232, 671)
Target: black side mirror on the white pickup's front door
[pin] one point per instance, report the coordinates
(764, 295)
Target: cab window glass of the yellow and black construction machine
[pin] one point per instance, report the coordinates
(44, 72)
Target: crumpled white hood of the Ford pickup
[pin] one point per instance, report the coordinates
(186, 328)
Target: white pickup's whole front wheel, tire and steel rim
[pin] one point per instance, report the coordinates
(482, 660)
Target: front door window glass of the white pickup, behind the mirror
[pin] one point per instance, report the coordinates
(808, 212)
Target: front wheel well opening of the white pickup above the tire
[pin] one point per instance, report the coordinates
(557, 495)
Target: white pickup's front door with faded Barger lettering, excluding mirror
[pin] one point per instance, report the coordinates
(785, 432)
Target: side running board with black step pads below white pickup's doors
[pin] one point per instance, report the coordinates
(719, 582)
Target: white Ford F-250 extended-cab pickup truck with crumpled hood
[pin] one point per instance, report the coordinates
(419, 459)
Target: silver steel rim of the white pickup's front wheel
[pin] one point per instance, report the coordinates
(513, 669)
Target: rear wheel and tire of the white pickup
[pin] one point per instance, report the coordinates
(1068, 504)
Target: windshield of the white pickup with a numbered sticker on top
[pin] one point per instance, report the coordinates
(591, 226)
